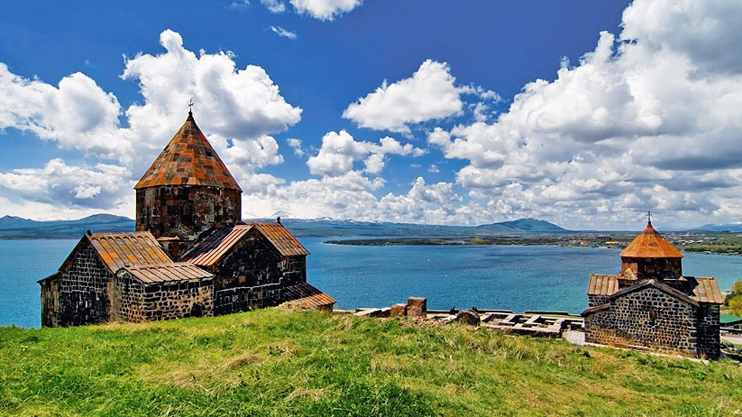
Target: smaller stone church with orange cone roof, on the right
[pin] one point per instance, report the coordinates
(651, 305)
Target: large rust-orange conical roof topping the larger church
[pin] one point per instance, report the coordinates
(188, 159)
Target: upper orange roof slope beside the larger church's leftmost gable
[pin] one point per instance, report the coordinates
(118, 250)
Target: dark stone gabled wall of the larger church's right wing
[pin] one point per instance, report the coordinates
(254, 276)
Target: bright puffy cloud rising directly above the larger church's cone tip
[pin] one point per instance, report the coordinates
(231, 102)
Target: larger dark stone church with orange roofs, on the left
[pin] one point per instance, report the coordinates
(191, 255)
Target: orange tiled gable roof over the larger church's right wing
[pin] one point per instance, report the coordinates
(210, 250)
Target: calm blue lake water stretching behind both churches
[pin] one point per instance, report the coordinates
(515, 278)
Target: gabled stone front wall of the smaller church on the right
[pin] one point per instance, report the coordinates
(648, 318)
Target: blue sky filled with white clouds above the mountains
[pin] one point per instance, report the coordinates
(584, 113)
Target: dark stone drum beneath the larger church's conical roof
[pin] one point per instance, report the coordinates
(162, 209)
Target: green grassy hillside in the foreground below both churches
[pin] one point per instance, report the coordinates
(278, 363)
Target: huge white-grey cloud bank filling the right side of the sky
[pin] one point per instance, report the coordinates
(650, 119)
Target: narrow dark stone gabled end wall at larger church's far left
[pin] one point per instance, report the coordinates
(82, 286)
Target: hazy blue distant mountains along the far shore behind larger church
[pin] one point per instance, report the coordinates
(20, 228)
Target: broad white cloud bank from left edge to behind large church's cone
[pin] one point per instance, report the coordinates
(238, 110)
